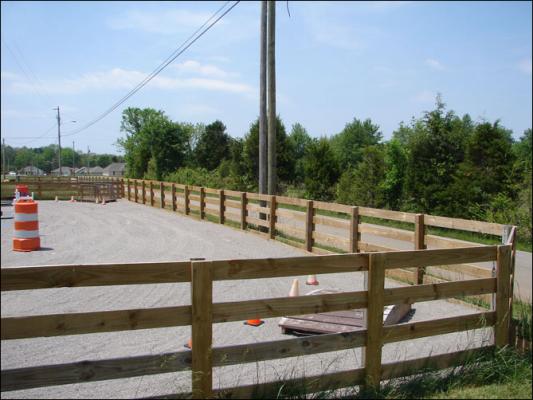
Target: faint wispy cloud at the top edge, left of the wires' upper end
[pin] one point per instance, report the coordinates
(166, 22)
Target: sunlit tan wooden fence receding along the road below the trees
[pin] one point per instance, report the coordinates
(325, 228)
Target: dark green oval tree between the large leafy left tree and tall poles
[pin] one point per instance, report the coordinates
(213, 146)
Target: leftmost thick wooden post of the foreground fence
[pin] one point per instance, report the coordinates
(202, 329)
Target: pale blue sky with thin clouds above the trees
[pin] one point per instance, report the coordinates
(335, 61)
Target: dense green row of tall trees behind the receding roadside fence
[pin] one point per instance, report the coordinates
(440, 163)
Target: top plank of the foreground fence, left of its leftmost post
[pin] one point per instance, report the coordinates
(25, 278)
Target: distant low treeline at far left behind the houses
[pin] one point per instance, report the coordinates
(46, 158)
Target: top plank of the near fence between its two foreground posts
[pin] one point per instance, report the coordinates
(293, 266)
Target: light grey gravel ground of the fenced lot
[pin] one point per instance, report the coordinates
(123, 232)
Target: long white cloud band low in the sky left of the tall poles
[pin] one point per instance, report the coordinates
(118, 78)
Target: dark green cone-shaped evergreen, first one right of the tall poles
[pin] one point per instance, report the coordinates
(321, 170)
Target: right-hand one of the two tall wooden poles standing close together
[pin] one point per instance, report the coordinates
(272, 125)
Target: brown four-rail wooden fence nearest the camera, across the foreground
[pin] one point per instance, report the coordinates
(202, 313)
